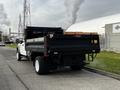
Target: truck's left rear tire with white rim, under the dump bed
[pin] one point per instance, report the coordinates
(41, 66)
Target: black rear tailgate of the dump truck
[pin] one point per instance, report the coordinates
(82, 43)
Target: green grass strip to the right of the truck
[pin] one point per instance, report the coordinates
(107, 61)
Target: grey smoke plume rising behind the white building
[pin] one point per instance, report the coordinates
(72, 7)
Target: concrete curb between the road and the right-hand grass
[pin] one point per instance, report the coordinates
(108, 74)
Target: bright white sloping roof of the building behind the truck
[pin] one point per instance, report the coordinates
(95, 25)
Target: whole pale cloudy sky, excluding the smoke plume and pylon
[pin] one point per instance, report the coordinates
(54, 13)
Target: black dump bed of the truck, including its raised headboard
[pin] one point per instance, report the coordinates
(59, 42)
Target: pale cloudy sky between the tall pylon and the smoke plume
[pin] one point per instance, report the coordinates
(49, 14)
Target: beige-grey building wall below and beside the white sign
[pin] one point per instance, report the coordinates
(112, 40)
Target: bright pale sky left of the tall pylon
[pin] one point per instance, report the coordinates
(12, 9)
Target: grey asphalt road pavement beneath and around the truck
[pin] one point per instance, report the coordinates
(16, 75)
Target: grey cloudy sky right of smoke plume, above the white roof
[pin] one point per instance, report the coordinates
(98, 8)
